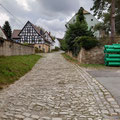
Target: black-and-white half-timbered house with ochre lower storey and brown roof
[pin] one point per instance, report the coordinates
(31, 34)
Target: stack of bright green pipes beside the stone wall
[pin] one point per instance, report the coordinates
(112, 55)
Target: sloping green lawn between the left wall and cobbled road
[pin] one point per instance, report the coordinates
(14, 67)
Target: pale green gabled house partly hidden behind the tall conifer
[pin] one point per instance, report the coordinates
(90, 19)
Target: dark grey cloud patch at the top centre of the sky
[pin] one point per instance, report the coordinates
(59, 6)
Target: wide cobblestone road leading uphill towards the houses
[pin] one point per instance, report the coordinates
(57, 90)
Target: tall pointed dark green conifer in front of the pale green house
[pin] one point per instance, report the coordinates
(78, 29)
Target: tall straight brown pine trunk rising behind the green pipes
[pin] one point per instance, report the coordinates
(113, 22)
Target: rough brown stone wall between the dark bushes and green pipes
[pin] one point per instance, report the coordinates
(93, 56)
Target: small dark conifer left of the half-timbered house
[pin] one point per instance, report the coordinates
(7, 29)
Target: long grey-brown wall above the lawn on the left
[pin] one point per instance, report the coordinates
(8, 48)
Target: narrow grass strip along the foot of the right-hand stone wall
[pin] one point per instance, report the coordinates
(70, 59)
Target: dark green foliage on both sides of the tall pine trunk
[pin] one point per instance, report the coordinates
(102, 9)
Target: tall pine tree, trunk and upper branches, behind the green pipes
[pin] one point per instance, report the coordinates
(112, 7)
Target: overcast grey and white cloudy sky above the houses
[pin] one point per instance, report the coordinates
(49, 14)
